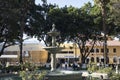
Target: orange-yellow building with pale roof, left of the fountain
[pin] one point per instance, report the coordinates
(33, 53)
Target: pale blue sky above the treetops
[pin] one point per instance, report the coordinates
(62, 3)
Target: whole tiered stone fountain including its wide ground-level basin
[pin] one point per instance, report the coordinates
(55, 74)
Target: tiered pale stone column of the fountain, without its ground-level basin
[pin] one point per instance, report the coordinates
(53, 50)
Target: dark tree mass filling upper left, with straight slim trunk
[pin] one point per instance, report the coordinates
(14, 19)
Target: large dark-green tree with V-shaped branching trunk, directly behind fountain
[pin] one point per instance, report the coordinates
(74, 24)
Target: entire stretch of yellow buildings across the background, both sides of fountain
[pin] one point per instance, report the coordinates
(36, 54)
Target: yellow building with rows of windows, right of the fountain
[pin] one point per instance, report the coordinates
(72, 52)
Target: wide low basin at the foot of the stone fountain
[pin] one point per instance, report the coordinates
(64, 75)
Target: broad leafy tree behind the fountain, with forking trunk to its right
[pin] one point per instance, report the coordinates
(78, 25)
